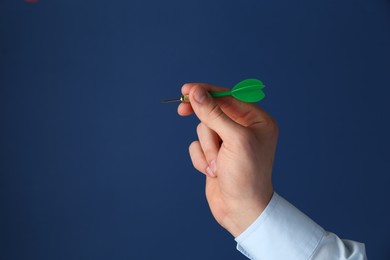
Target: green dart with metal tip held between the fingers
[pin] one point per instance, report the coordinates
(249, 90)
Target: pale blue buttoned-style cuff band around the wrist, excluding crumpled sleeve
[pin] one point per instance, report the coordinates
(280, 232)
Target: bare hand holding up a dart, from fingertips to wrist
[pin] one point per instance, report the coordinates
(235, 151)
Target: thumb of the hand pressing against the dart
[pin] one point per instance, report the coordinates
(209, 113)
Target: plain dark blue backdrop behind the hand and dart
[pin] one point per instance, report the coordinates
(94, 167)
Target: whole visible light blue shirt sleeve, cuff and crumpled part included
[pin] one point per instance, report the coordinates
(284, 232)
